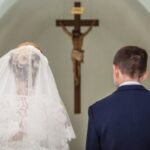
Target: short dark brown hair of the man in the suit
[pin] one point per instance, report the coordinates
(132, 61)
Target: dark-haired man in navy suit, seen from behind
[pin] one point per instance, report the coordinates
(121, 121)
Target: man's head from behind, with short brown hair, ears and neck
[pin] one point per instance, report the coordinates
(130, 63)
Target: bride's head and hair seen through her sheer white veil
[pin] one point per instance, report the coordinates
(24, 63)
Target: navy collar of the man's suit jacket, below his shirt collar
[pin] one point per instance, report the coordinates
(130, 87)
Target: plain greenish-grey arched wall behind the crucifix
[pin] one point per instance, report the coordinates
(122, 23)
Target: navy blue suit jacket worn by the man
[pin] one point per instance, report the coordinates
(120, 121)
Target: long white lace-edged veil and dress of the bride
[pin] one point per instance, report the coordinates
(32, 114)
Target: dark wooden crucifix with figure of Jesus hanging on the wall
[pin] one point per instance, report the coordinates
(77, 38)
